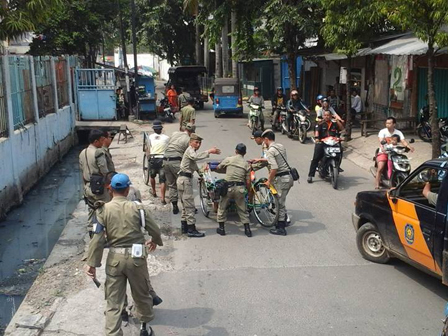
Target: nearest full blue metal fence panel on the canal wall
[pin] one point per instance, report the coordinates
(21, 90)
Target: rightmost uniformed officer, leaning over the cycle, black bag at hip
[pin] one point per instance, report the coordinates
(279, 176)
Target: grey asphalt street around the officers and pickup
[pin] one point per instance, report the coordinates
(311, 282)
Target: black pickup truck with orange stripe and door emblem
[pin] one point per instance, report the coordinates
(404, 223)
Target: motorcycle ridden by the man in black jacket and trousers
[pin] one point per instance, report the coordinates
(329, 165)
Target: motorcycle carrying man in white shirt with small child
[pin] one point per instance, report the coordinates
(400, 169)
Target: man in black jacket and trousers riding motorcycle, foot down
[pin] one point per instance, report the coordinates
(327, 127)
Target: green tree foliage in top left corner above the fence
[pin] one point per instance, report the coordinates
(21, 16)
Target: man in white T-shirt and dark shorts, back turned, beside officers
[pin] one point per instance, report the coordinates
(158, 143)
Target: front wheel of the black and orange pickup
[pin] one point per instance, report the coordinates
(370, 244)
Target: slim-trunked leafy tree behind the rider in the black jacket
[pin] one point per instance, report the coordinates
(348, 25)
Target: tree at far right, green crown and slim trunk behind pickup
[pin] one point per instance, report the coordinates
(424, 18)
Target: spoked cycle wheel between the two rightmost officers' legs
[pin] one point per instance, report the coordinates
(265, 206)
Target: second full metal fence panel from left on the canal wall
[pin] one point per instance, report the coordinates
(44, 85)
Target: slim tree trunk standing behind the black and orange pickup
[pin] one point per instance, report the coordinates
(433, 104)
